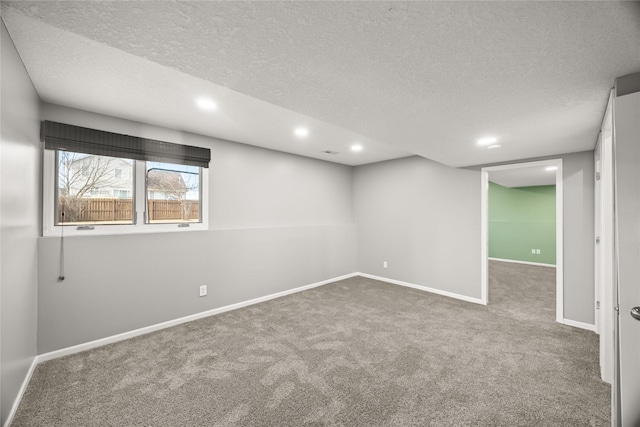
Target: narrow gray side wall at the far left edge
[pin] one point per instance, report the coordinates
(19, 223)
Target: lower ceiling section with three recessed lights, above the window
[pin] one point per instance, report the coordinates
(74, 71)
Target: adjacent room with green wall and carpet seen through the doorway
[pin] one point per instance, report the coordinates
(524, 229)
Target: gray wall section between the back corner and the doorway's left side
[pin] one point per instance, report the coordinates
(423, 218)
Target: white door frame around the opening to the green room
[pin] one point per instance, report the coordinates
(484, 240)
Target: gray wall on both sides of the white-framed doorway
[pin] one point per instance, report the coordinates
(423, 218)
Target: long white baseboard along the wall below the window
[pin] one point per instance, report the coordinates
(152, 328)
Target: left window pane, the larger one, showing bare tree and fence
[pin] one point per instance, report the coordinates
(90, 191)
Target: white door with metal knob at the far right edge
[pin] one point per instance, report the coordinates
(627, 181)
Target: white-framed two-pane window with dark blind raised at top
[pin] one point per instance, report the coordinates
(92, 191)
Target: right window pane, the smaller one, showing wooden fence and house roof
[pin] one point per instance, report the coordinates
(173, 193)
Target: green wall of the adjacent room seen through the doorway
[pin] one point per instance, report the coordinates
(521, 219)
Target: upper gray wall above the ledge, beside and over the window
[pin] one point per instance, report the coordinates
(249, 186)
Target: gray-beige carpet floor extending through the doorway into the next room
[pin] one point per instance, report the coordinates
(358, 352)
